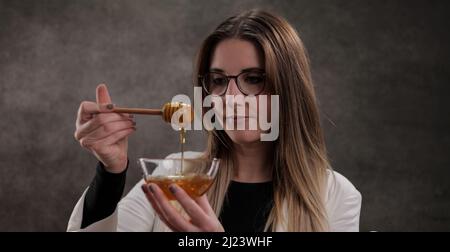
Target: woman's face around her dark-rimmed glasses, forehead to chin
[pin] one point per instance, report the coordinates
(232, 56)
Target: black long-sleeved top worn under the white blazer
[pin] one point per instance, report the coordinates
(245, 209)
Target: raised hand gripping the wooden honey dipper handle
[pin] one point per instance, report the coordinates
(103, 133)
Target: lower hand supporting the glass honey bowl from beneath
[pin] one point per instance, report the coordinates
(202, 217)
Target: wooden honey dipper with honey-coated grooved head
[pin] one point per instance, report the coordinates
(166, 112)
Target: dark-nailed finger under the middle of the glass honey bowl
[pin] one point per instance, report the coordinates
(197, 214)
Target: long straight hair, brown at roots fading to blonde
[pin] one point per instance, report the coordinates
(299, 160)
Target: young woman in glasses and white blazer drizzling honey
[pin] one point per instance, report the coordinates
(281, 185)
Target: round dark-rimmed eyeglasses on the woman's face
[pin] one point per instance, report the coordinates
(248, 82)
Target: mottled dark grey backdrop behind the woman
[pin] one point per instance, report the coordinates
(381, 70)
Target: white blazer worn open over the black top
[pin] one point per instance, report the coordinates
(134, 212)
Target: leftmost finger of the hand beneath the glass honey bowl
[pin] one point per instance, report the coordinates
(172, 216)
